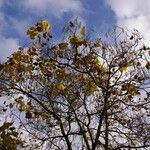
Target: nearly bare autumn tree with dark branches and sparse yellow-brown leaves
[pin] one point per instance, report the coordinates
(80, 93)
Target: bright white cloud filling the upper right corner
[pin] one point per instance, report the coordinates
(133, 14)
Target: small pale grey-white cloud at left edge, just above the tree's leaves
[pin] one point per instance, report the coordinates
(7, 47)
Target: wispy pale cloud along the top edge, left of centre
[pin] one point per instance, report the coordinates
(55, 7)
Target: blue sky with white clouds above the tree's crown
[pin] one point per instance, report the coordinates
(17, 15)
